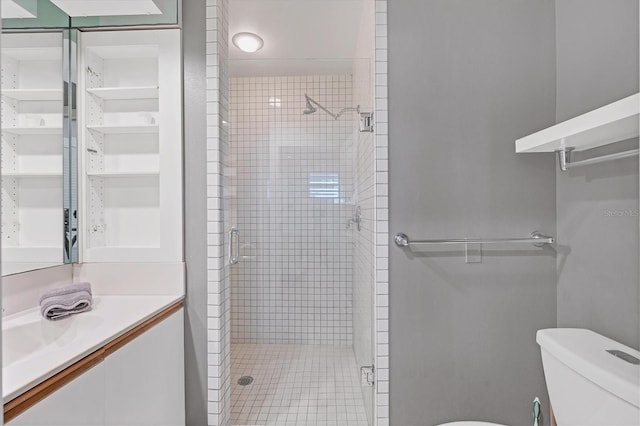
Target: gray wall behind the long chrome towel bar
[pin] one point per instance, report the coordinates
(466, 79)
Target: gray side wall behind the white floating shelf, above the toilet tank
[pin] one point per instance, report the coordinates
(597, 60)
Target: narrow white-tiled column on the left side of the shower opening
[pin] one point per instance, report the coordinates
(218, 282)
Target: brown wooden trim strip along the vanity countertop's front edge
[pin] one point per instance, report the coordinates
(40, 391)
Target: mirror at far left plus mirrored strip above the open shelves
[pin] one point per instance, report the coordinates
(39, 171)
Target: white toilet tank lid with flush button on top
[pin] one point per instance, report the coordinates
(585, 352)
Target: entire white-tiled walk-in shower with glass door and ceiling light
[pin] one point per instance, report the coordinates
(297, 240)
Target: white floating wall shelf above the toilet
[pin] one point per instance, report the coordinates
(611, 123)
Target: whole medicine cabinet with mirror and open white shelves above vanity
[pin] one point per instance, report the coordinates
(90, 99)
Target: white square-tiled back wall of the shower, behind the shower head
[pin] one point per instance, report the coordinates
(292, 183)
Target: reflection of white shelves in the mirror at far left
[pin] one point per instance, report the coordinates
(32, 151)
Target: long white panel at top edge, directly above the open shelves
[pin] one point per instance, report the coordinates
(108, 7)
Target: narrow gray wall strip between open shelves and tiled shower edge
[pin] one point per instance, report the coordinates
(193, 15)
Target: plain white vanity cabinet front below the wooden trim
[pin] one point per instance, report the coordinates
(142, 383)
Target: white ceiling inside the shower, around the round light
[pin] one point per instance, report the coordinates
(300, 36)
